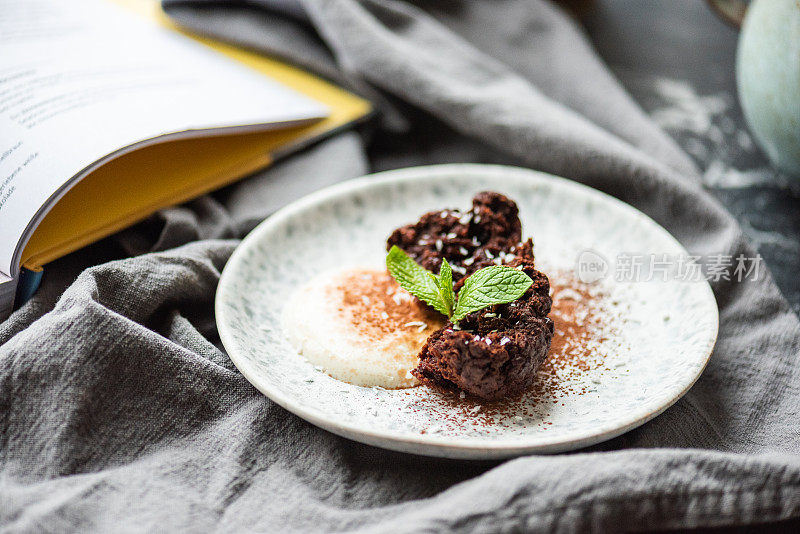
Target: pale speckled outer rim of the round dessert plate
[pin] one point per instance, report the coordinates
(432, 445)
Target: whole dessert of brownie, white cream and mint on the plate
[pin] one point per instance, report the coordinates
(480, 325)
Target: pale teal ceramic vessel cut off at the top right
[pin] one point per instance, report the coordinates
(768, 78)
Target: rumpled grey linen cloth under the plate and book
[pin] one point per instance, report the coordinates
(120, 412)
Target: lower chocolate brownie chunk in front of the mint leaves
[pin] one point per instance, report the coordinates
(494, 352)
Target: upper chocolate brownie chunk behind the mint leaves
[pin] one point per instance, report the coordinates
(470, 240)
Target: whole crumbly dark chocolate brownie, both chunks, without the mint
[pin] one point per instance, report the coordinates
(496, 351)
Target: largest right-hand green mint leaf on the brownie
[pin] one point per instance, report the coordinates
(498, 284)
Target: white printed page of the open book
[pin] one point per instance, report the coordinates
(82, 79)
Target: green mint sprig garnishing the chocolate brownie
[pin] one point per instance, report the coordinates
(498, 284)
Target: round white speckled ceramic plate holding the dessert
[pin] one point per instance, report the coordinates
(662, 336)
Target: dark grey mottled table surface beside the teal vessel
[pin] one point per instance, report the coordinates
(678, 60)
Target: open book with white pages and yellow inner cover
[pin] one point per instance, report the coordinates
(108, 114)
